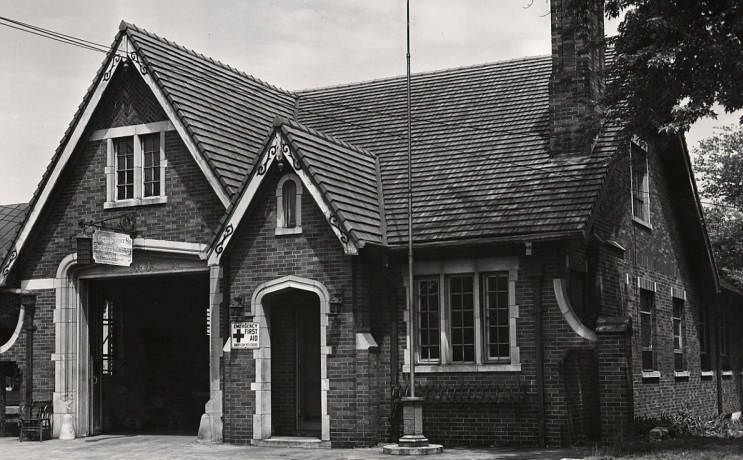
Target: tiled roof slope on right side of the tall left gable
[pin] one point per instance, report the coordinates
(227, 112)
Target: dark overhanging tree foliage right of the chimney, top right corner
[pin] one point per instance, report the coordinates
(674, 60)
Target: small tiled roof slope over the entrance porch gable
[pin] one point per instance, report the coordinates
(346, 176)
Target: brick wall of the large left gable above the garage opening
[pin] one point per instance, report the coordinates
(191, 214)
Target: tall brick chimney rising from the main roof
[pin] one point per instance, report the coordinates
(577, 79)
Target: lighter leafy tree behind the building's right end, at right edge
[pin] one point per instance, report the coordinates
(719, 160)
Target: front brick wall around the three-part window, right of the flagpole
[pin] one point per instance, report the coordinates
(482, 422)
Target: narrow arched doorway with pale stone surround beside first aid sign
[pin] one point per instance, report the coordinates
(291, 381)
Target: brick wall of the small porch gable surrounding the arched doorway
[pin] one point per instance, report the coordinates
(257, 255)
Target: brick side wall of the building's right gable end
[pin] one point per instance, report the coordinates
(669, 255)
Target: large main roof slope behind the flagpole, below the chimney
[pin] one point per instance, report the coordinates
(481, 162)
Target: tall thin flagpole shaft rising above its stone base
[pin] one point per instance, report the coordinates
(411, 285)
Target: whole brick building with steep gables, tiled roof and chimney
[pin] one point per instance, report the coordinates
(563, 276)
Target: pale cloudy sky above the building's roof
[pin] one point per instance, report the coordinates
(293, 44)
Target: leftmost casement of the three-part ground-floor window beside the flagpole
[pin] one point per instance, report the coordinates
(428, 320)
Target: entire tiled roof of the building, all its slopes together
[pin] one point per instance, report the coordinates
(481, 162)
